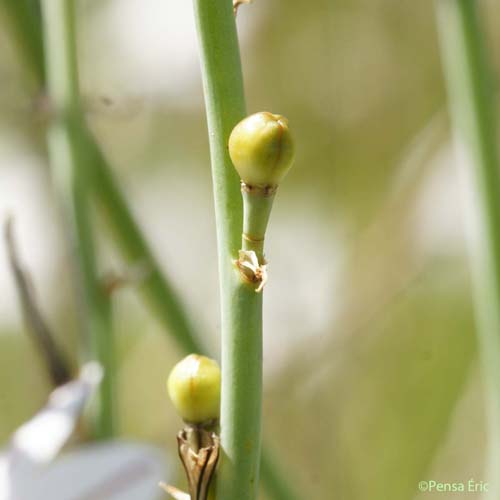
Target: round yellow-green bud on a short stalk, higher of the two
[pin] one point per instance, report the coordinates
(261, 148)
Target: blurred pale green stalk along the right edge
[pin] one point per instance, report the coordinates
(472, 103)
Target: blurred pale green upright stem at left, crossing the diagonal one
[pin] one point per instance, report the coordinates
(66, 149)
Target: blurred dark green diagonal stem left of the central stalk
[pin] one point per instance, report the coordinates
(156, 288)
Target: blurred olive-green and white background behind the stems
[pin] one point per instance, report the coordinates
(371, 382)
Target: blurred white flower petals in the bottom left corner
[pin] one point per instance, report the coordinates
(113, 470)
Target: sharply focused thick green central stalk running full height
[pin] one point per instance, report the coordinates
(241, 307)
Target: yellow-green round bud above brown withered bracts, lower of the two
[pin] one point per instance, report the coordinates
(194, 388)
